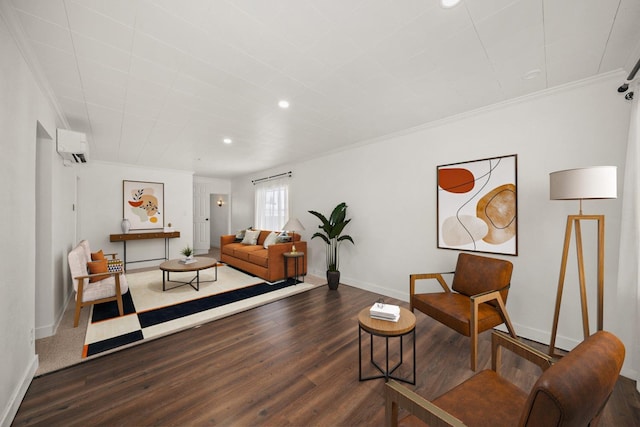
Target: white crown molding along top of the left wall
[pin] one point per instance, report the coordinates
(16, 30)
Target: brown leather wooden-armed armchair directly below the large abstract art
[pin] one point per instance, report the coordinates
(480, 286)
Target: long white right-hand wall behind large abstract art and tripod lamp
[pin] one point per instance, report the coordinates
(390, 188)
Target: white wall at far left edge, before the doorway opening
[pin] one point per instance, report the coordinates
(22, 106)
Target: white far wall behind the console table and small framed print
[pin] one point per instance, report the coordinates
(100, 209)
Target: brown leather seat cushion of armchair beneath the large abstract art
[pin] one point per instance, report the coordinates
(454, 310)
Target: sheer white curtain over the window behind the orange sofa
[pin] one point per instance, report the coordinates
(271, 204)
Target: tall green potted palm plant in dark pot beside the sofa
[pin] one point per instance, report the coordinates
(332, 235)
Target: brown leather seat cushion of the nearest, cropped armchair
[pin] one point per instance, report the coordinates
(499, 402)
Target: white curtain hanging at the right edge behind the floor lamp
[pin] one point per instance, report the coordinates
(628, 271)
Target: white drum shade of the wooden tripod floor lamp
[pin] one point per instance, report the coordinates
(596, 182)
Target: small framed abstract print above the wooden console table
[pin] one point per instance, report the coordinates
(143, 204)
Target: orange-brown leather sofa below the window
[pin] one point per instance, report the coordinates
(268, 263)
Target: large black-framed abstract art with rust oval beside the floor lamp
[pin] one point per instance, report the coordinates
(478, 205)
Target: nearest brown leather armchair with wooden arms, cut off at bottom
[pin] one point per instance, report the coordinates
(571, 392)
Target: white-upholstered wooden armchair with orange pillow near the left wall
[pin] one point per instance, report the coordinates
(87, 292)
